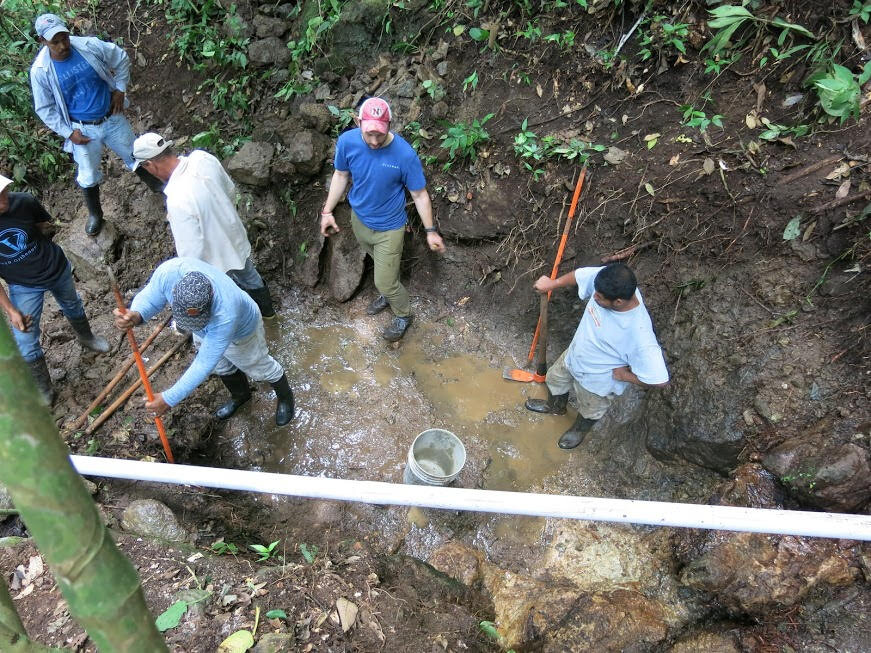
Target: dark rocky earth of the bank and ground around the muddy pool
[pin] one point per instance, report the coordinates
(766, 340)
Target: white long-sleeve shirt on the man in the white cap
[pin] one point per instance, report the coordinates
(201, 210)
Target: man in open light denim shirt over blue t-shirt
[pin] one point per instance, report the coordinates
(79, 86)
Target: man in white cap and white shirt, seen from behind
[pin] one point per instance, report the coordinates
(201, 210)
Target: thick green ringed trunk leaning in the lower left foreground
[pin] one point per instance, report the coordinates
(100, 585)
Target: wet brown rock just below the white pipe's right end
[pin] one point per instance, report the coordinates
(750, 573)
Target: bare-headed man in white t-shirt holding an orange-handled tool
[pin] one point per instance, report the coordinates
(614, 345)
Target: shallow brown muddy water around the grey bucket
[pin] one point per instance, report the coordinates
(361, 402)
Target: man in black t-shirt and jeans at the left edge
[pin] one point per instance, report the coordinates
(31, 264)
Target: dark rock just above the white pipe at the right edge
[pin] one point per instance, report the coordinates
(823, 473)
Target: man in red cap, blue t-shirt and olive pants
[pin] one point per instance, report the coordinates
(381, 165)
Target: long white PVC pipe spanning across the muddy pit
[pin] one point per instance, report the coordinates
(653, 513)
